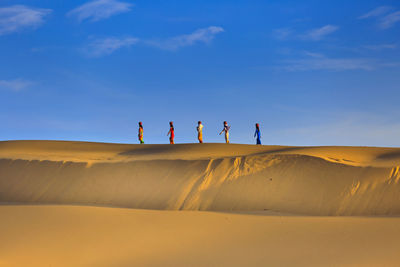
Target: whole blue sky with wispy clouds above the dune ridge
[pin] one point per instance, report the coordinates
(310, 72)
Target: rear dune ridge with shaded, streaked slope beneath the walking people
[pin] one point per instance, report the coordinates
(213, 177)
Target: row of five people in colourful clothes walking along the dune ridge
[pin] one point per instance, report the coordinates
(171, 132)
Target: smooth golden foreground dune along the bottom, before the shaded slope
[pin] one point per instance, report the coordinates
(90, 236)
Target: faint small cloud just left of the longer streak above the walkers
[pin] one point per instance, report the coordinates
(101, 47)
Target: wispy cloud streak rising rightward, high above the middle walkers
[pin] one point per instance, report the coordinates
(204, 35)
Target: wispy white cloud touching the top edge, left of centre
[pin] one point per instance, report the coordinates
(99, 9)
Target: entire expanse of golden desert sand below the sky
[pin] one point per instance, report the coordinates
(97, 204)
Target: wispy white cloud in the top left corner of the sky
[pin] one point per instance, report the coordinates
(15, 18)
